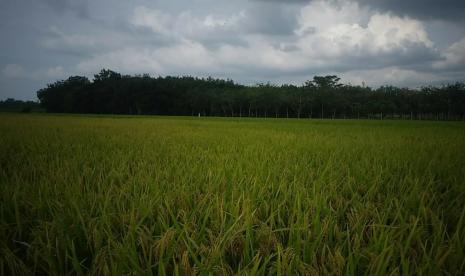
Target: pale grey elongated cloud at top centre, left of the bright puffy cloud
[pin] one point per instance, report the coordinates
(277, 20)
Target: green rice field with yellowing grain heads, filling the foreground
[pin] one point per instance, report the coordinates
(180, 196)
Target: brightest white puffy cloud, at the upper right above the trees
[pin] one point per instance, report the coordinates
(358, 39)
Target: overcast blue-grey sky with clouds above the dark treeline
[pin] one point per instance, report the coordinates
(407, 43)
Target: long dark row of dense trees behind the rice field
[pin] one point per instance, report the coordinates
(323, 97)
